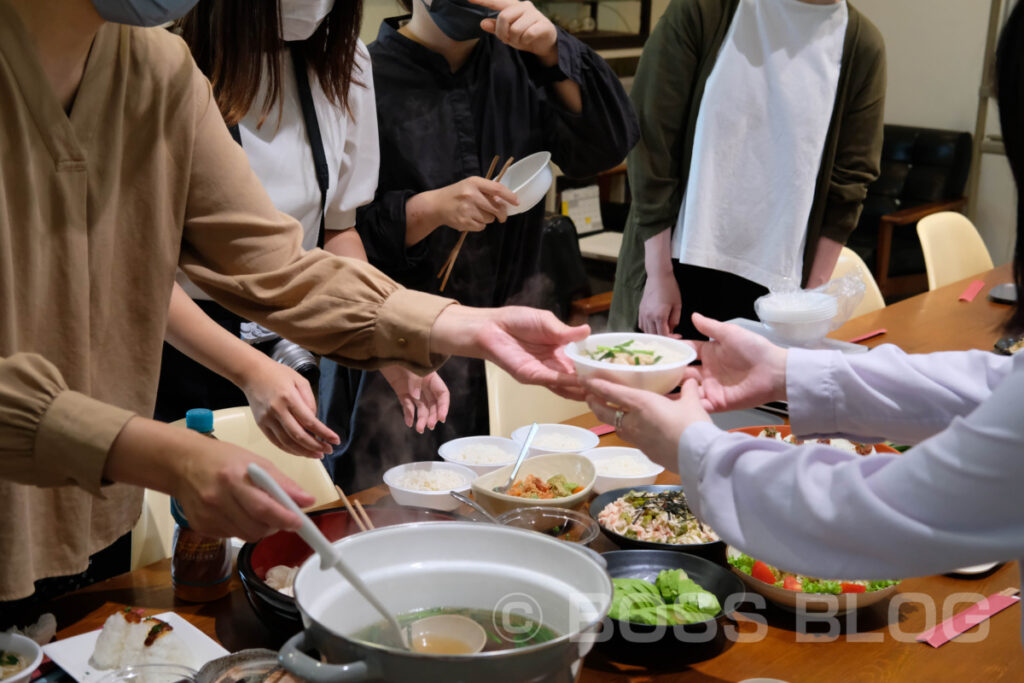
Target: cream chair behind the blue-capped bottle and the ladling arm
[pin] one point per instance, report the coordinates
(153, 534)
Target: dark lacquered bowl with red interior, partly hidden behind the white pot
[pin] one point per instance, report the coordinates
(277, 611)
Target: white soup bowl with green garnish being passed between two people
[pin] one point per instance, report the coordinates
(635, 360)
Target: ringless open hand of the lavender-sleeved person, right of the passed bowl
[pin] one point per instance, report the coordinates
(740, 369)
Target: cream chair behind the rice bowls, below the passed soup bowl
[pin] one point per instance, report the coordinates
(513, 405)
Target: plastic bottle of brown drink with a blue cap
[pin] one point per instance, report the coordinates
(201, 566)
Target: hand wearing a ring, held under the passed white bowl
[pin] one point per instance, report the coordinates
(653, 422)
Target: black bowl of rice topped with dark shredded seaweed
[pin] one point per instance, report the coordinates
(655, 518)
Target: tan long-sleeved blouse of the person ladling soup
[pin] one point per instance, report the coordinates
(98, 209)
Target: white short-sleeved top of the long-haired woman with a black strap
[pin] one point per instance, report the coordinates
(282, 159)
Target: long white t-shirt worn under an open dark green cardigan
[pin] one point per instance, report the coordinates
(759, 140)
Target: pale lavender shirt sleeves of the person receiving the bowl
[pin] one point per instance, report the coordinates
(951, 501)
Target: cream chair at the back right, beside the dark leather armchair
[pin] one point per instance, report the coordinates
(954, 249)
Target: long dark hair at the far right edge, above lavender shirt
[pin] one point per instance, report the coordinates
(1010, 91)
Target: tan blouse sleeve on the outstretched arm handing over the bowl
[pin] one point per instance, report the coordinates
(248, 257)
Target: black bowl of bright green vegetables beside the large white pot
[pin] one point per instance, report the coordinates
(668, 606)
